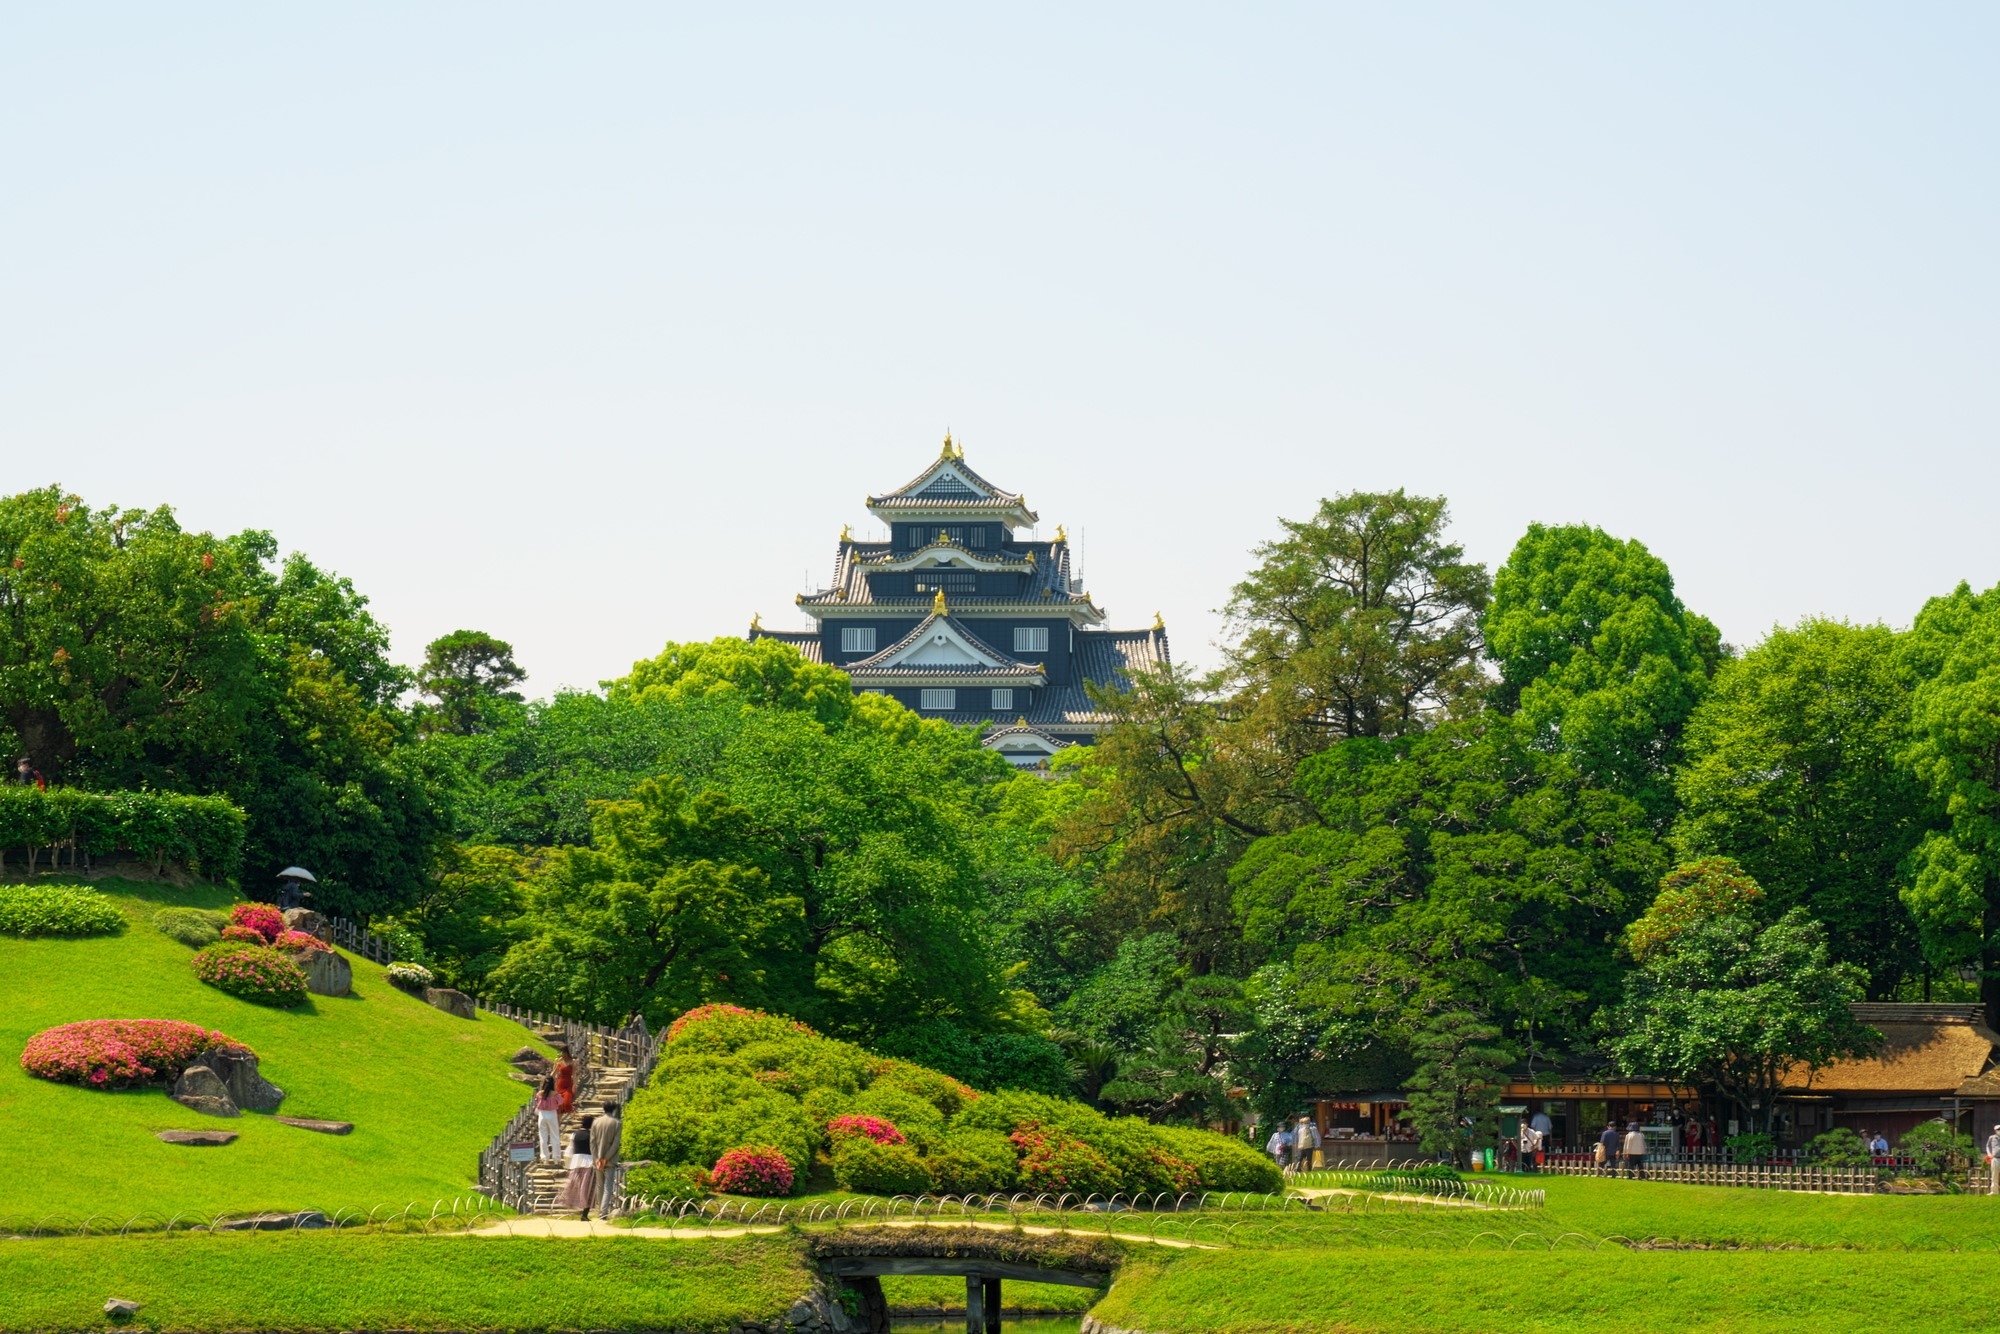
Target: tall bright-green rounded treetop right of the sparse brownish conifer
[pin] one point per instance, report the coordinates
(1599, 657)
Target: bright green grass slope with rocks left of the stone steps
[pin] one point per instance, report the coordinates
(423, 1089)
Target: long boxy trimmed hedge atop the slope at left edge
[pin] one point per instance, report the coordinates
(201, 833)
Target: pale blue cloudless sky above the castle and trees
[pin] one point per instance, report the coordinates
(591, 327)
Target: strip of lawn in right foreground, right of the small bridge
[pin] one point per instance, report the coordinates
(1563, 1293)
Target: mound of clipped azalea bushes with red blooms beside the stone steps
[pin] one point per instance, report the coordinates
(735, 1079)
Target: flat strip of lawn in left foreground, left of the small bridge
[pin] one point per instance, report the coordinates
(397, 1283)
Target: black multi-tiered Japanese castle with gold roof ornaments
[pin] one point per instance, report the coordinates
(961, 619)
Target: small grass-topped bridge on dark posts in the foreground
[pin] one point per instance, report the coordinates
(859, 1259)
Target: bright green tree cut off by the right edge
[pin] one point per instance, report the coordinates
(1953, 655)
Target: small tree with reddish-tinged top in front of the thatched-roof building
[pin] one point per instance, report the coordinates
(1723, 1003)
